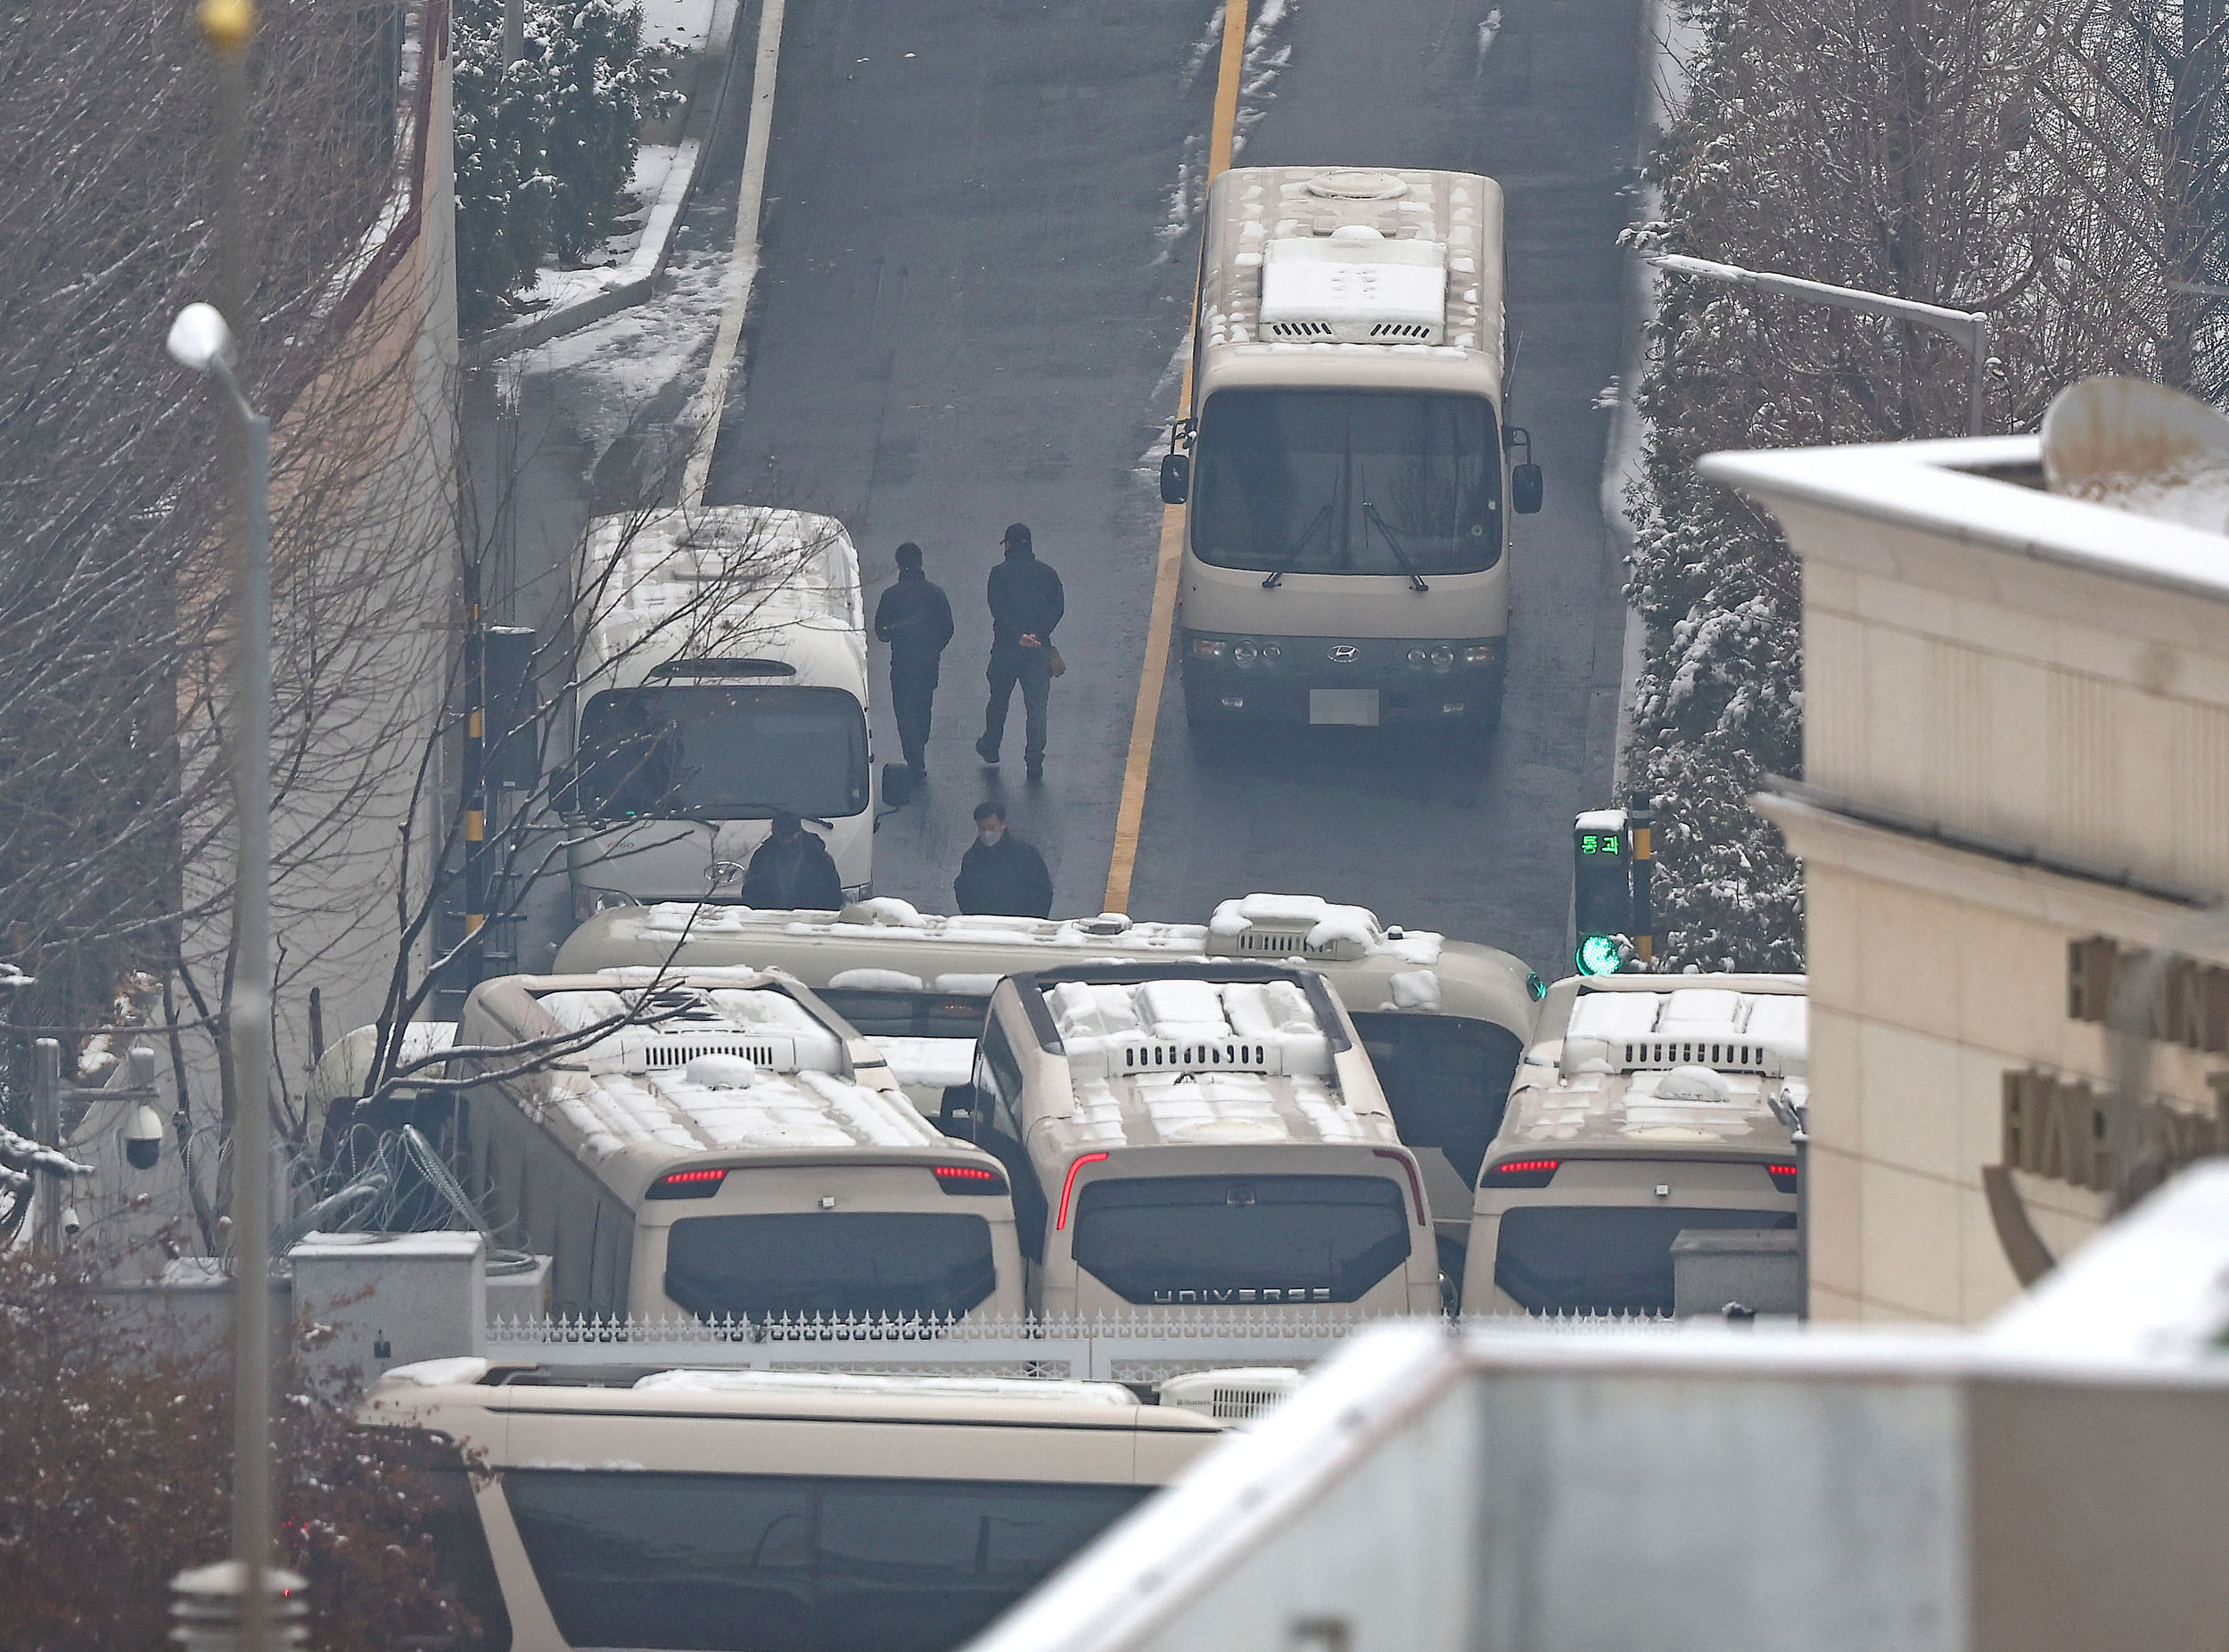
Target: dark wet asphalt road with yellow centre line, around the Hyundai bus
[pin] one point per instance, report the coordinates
(971, 300)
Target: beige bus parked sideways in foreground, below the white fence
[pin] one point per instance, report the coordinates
(752, 1510)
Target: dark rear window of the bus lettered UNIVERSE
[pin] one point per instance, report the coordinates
(1252, 1238)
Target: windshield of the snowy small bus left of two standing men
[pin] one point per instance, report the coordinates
(721, 755)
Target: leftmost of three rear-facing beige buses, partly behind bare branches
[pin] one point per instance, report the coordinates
(741, 1156)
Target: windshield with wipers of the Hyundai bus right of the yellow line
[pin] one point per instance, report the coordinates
(1394, 483)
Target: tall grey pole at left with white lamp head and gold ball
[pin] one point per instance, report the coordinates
(202, 340)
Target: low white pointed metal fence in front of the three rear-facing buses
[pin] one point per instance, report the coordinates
(1116, 1348)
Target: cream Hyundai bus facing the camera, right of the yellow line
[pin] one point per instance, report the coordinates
(1347, 469)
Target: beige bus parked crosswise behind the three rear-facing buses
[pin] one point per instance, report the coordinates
(1443, 1022)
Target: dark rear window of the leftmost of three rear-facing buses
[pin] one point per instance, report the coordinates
(819, 1263)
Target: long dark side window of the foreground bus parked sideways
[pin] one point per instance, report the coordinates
(790, 1564)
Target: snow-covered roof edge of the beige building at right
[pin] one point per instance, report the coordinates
(1934, 487)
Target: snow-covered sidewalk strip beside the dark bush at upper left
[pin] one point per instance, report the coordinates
(665, 177)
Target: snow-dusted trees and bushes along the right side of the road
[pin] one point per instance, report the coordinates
(2001, 159)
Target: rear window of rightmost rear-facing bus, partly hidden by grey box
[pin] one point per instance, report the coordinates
(1604, 1259)
